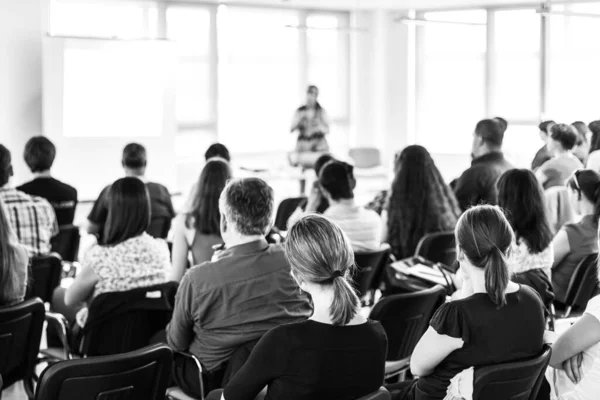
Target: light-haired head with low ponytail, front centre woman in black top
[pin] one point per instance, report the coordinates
(320, 253)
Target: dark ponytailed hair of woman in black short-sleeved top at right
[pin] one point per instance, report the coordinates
(484, 237)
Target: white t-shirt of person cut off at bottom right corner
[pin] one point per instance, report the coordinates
(589, 386)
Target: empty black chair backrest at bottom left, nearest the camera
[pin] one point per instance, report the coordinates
(140, 374)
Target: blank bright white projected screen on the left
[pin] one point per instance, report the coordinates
(114, 90)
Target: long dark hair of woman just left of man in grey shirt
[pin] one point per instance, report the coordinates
(204, 216)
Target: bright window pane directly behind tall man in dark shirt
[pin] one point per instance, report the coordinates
(451, 68)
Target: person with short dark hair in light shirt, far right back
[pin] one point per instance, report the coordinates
(557, 170)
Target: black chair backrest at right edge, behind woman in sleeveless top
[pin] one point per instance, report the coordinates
(584, 282)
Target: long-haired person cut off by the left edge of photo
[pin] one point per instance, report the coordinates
(13, 264)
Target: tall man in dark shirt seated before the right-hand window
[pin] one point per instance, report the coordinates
(477, 184)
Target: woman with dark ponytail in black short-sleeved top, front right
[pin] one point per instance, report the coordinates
(496, 321)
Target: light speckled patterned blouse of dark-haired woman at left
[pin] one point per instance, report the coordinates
(137, 262)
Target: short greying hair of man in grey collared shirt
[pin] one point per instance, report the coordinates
(248, 203)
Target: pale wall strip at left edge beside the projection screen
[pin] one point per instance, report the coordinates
(21, 28)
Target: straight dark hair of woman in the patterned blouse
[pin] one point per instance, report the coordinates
(128, 211)
